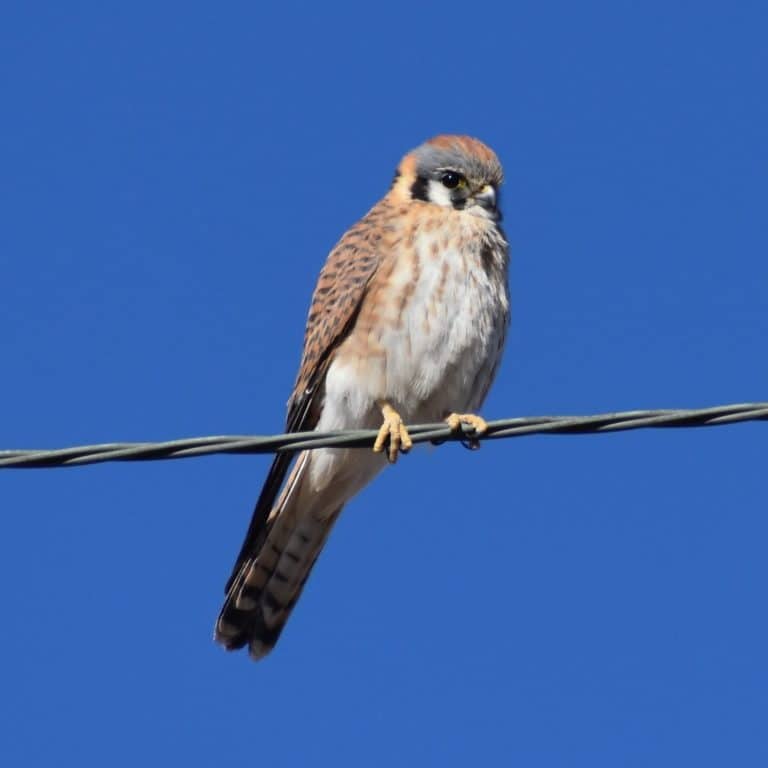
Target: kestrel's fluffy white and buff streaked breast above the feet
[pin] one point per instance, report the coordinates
(432, 324)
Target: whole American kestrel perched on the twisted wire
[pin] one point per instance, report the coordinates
(407, 325)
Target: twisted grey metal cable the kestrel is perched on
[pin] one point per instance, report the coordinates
(420, 433)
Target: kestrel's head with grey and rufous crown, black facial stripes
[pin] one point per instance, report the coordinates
(456, 172)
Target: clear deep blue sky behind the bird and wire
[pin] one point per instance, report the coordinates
(173, 177)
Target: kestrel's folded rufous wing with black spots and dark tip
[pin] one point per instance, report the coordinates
(338, 295)
